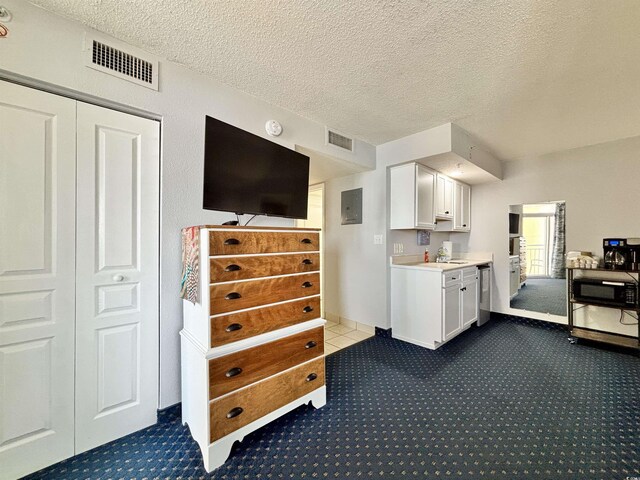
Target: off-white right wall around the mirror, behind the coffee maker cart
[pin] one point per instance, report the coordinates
(599, 184)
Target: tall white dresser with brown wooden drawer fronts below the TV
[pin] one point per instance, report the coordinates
(253, 345)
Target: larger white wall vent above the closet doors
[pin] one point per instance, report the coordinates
(121, 62)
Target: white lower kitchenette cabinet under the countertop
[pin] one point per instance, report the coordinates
(429, 308)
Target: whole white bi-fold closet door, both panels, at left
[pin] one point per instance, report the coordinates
(79, 233)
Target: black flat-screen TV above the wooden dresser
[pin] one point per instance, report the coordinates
(245, 173)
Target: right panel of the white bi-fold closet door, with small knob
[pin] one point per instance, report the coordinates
(117, 275)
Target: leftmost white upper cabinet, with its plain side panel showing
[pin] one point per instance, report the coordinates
(412, 197)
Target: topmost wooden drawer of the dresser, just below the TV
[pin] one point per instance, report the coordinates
(234, 242)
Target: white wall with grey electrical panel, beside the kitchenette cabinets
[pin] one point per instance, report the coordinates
(357, 271)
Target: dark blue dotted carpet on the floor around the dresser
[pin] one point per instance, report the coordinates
(510, 400)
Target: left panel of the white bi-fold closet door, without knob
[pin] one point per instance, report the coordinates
(37, 278)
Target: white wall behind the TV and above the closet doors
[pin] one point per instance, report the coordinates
(48, 49)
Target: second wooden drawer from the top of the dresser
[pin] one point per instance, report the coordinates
(228, 269)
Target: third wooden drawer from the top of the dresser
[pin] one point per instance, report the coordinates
(228, 297)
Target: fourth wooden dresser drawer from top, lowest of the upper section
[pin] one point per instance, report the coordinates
(237, 326)
